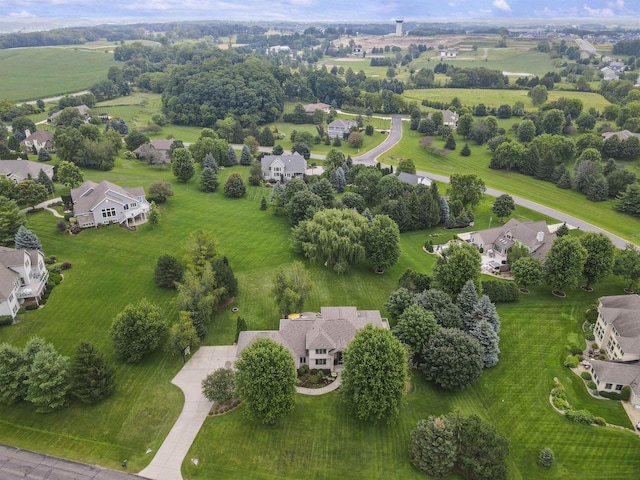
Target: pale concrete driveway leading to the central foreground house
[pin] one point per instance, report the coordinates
(168, 460)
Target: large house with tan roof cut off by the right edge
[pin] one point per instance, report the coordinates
(617, 332)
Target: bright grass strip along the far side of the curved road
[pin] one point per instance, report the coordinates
(601, 214)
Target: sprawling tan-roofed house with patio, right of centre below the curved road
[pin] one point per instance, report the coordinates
(497, 241)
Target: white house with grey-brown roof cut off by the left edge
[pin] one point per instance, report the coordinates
(23, 276)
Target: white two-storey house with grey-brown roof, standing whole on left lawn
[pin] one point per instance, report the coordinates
(104, 203)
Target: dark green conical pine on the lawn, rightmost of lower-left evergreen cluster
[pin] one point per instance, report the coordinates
(92, 378)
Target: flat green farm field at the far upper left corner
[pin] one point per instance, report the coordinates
(31, 73)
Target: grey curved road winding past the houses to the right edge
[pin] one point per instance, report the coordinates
(394, 137)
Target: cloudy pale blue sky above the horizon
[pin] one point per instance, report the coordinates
(318, 10)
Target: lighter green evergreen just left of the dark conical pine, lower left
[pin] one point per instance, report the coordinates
(48, 384)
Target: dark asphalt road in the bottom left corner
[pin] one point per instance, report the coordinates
(17, 464)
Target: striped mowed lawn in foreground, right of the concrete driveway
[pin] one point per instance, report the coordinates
(320, 440)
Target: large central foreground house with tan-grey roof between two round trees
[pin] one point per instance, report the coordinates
(318, 339)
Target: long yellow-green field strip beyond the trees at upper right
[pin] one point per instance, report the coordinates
(495, 98)
